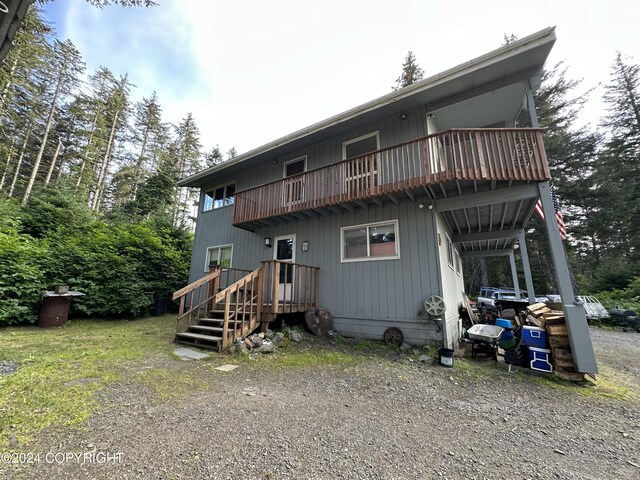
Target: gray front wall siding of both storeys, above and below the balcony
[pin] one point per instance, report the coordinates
(364, 297)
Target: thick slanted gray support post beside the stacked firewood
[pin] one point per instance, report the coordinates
(575, 317)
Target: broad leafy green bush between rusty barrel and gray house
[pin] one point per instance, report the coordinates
(121, 268)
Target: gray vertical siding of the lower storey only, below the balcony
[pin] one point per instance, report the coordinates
(364, 297)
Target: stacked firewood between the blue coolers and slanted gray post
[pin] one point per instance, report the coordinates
(553, 322)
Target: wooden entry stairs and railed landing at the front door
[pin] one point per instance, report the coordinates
(229, 304)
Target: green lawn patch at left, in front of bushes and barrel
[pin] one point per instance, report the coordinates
(61, 369)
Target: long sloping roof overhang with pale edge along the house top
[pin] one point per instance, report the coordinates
(521, 60)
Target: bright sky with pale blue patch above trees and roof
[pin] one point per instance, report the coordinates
(253, 71)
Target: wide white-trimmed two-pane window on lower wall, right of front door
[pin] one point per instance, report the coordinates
(373, 241)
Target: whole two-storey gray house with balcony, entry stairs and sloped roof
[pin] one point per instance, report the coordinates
(368, 213)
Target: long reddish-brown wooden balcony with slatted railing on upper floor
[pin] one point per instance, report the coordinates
(457, 155)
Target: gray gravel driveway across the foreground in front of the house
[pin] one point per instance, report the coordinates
(378, 420)
